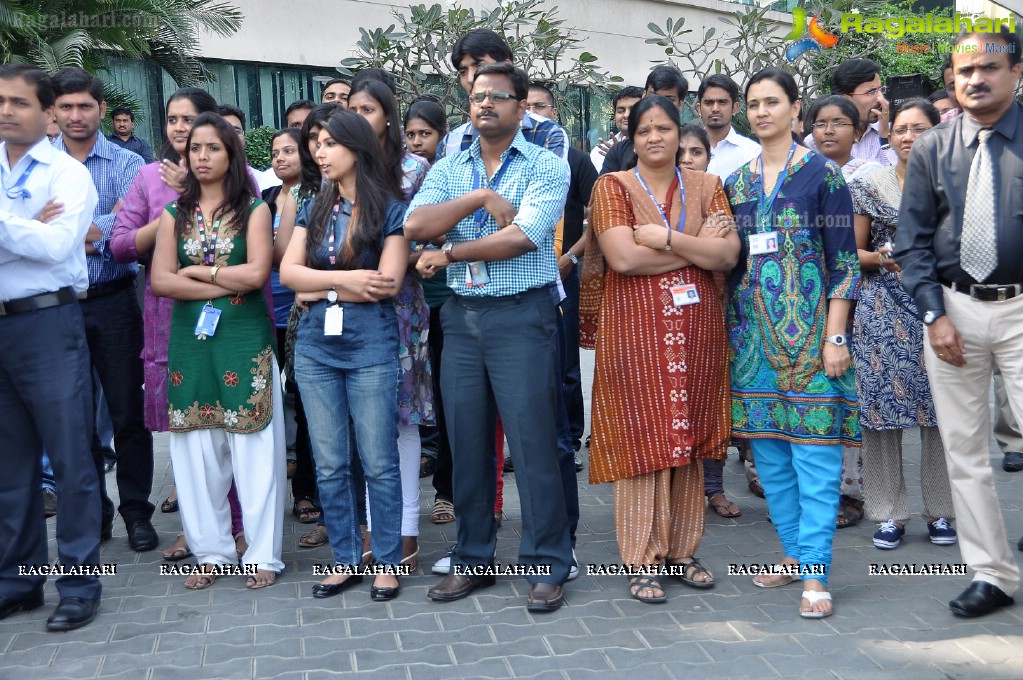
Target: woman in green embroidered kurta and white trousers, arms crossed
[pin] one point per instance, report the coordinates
(213, 256)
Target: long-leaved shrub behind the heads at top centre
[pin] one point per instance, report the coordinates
(418, 49)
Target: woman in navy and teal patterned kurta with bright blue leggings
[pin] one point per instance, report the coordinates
(793, 392)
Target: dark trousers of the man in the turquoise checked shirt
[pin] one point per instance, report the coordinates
(502, 357)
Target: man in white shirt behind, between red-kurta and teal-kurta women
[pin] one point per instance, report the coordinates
(718, 102)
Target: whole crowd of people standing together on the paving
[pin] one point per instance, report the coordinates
(398, 299)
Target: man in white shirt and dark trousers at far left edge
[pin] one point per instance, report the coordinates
(47, 206)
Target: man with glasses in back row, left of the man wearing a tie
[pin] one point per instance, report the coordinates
(860, 81)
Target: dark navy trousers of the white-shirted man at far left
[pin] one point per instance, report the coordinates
(47, 401)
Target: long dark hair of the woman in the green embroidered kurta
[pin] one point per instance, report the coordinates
(238, 185)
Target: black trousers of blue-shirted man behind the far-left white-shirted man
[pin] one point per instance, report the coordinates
(114, 332)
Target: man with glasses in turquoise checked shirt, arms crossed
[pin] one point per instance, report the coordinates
(498, 204)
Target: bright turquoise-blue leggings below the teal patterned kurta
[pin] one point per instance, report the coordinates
(802, 485)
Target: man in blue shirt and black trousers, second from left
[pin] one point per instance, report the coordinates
(113, 321)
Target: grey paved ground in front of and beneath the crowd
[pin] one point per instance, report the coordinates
(896, 627)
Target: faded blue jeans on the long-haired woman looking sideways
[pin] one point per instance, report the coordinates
(370, 396)
